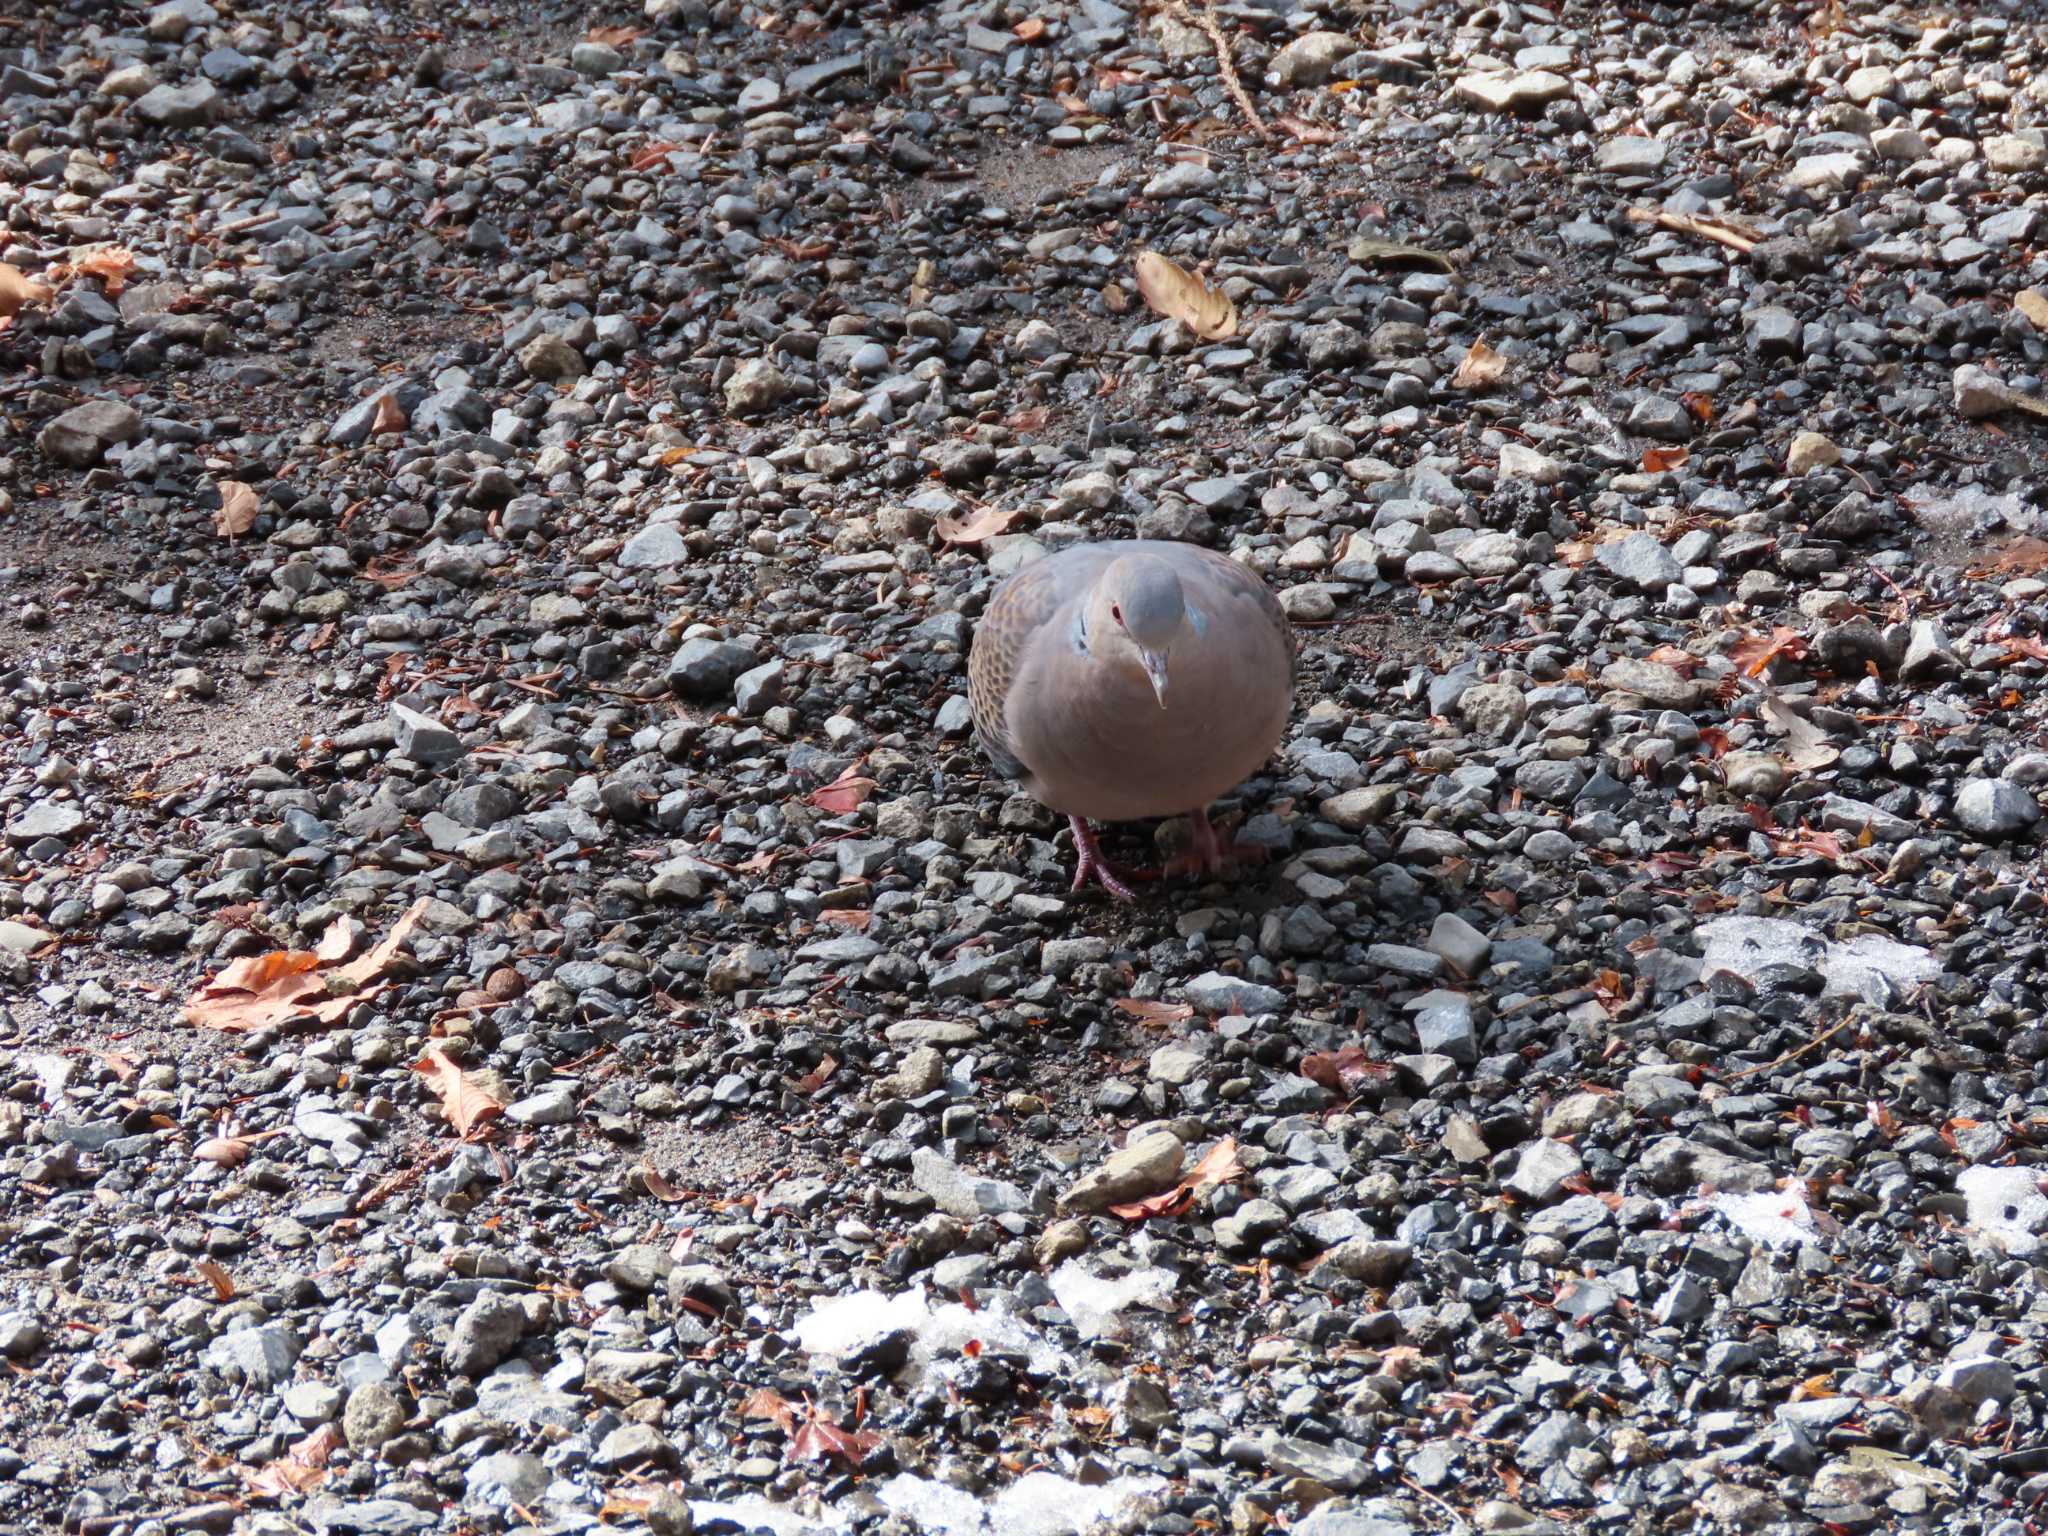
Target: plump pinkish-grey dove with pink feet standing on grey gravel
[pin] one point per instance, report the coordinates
(1134, 679)
